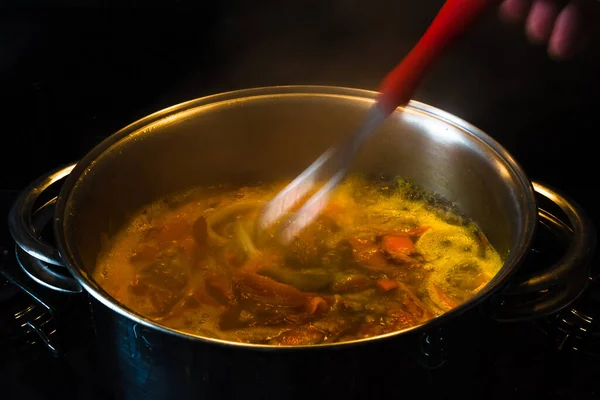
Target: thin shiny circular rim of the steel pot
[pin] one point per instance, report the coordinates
(85, 165)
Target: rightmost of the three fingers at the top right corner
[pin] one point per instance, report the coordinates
(566, 32)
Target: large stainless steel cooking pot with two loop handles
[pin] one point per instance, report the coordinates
(271, 133)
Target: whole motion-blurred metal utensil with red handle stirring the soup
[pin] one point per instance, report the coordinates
(454, 18)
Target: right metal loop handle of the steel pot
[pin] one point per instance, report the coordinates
(540, 293)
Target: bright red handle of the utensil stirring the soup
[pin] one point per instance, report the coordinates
(454, 18)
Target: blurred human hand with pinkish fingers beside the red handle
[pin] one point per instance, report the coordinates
(561, 25)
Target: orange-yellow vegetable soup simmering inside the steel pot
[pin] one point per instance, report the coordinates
(385, 255)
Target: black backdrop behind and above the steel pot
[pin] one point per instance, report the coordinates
(71, 75)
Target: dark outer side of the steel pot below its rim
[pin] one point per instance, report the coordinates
(143, 363)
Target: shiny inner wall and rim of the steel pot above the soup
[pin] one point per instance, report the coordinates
(241, 135)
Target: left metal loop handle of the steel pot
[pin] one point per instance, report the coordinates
(34, 255)
